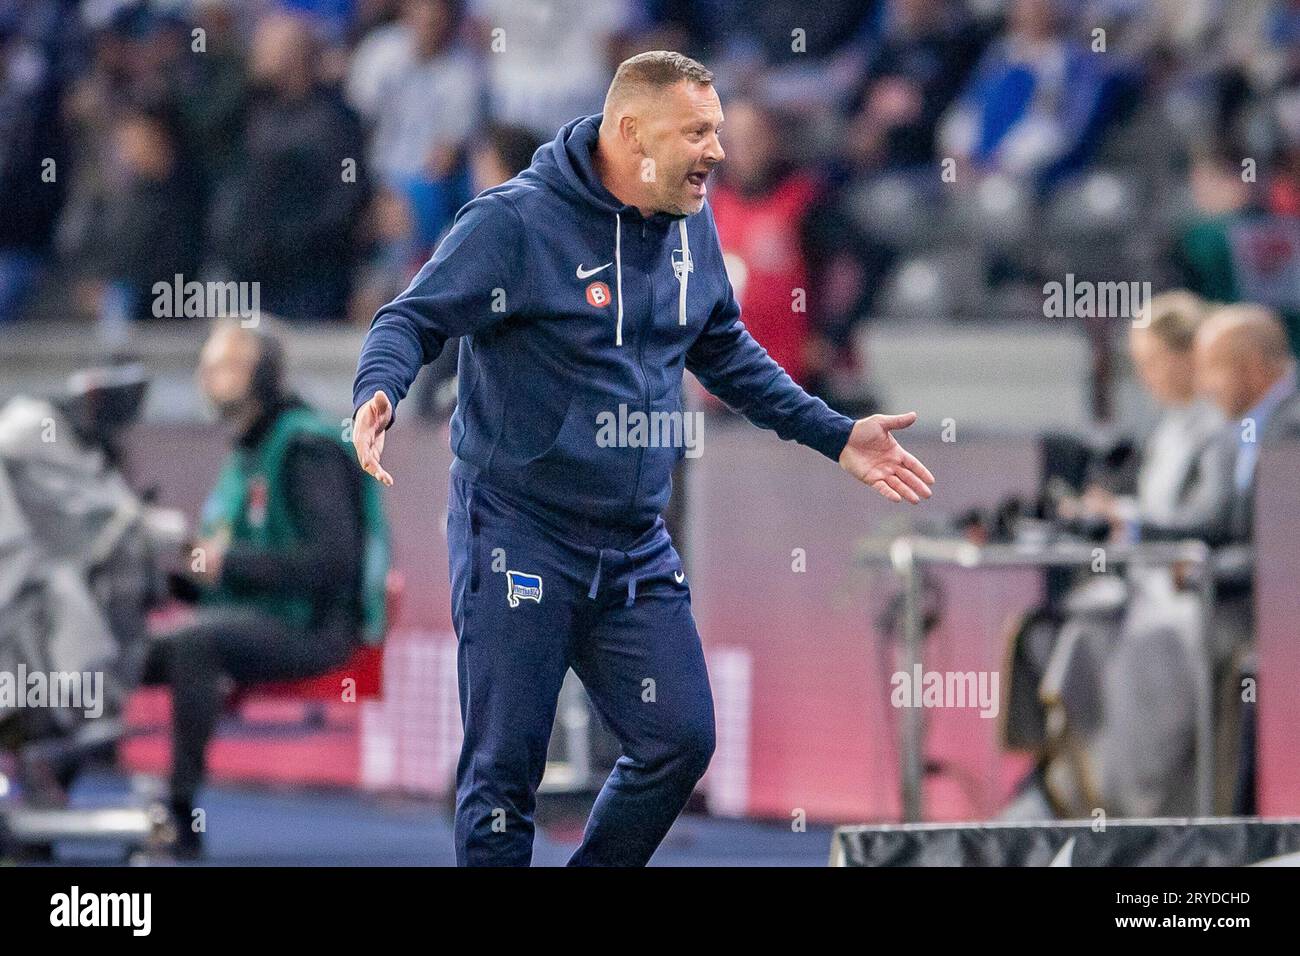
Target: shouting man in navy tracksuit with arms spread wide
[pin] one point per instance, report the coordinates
(580, 291)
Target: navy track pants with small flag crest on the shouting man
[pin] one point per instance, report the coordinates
(534, 596)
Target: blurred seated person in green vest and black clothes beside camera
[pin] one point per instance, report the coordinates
(289, 566)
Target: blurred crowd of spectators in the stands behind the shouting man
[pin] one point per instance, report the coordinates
(895, 159)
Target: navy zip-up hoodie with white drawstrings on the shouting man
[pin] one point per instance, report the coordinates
(571, 304)
